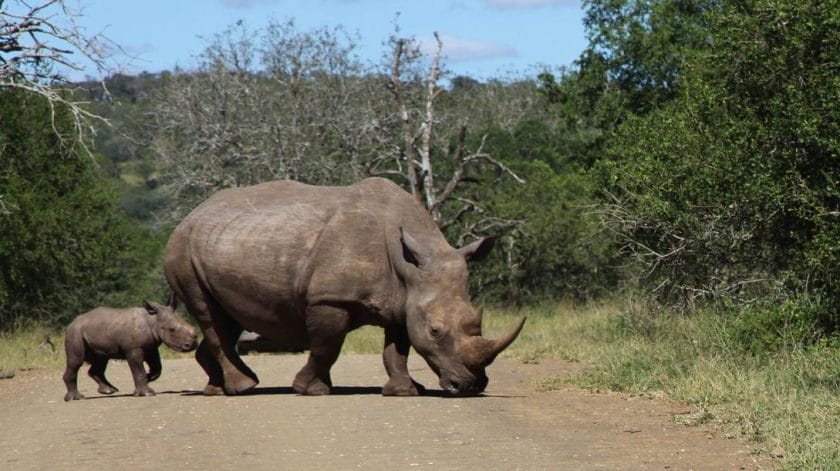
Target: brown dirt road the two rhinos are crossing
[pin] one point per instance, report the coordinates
(513, 426)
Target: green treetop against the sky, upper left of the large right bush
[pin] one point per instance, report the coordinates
(633, 64)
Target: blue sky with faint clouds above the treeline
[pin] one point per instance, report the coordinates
(482, 38)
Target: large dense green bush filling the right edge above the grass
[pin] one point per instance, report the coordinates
(731, 191)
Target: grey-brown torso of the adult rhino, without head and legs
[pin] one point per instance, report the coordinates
(273, 249)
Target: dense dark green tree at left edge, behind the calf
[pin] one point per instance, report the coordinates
(64, 246)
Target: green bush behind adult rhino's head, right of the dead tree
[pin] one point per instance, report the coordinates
(557, 250)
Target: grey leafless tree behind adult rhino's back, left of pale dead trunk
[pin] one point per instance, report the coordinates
(281, 104)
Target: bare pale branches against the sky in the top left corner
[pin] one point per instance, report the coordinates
(40, 44)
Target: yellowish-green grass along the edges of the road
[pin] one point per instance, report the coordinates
(788, 398)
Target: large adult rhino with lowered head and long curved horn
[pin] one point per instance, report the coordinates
(303, 265)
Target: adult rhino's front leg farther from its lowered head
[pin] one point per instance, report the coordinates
(327, 326)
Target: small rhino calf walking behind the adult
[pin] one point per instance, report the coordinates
(133, 334)
